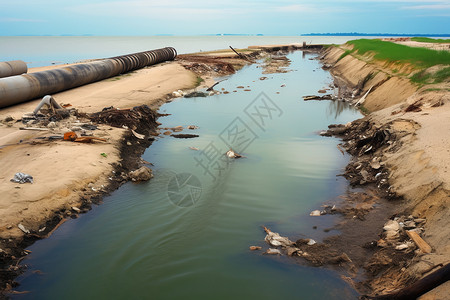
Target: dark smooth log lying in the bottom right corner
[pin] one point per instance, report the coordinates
(418, 288)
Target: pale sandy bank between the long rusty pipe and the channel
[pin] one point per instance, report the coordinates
(61, 170)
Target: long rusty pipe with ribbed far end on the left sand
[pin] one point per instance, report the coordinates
(17, 89)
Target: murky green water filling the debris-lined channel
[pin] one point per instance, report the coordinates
(160, 240)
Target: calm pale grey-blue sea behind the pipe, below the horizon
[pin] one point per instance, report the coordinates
(39, 51)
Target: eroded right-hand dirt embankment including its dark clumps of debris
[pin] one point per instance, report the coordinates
(402, 149)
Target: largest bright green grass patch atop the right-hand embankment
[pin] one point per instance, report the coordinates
(392, 52)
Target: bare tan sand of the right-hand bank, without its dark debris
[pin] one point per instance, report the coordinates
(416, 159)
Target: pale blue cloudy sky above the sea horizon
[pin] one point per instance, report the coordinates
(196, 17)
